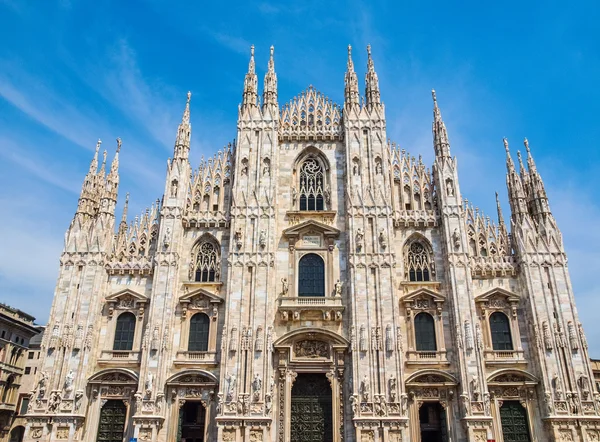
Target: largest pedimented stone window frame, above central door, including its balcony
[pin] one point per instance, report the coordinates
(311, 237)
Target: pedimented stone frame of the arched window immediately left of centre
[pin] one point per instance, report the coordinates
(192, 302)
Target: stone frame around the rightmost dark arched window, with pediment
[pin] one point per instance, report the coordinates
(500, 300)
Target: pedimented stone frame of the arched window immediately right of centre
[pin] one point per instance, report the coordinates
(424, 300)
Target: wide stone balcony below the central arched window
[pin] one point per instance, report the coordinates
(299, 308)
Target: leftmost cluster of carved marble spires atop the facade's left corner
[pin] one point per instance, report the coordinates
(99, 192)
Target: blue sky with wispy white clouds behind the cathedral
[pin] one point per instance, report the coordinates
(75, 71)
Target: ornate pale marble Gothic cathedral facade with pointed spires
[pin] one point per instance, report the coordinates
(313, 282)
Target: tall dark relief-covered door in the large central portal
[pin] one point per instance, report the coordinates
(311, 418)
